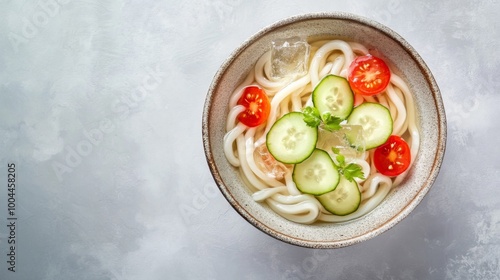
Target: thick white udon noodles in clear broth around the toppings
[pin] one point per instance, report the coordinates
(244, 146)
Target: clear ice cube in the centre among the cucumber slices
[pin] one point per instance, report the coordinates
(348, 141)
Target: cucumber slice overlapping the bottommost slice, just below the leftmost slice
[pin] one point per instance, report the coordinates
(317, 174)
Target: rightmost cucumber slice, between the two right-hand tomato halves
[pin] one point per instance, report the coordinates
(376, 121)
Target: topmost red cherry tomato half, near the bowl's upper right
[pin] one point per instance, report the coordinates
(368, 75)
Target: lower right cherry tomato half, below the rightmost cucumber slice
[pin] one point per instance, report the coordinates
(393, 157)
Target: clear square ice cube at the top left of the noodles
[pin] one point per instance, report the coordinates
(289, 58)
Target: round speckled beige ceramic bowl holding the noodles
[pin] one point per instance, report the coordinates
(400, 201)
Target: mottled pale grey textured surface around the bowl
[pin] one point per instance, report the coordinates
(100, 110)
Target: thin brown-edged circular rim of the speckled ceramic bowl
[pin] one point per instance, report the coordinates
(388, 224)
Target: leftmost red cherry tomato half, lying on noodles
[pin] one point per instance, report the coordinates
(257, 106)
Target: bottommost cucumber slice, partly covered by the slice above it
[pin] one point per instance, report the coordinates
(344, 200)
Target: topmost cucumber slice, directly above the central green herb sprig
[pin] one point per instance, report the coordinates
(333, 94)
